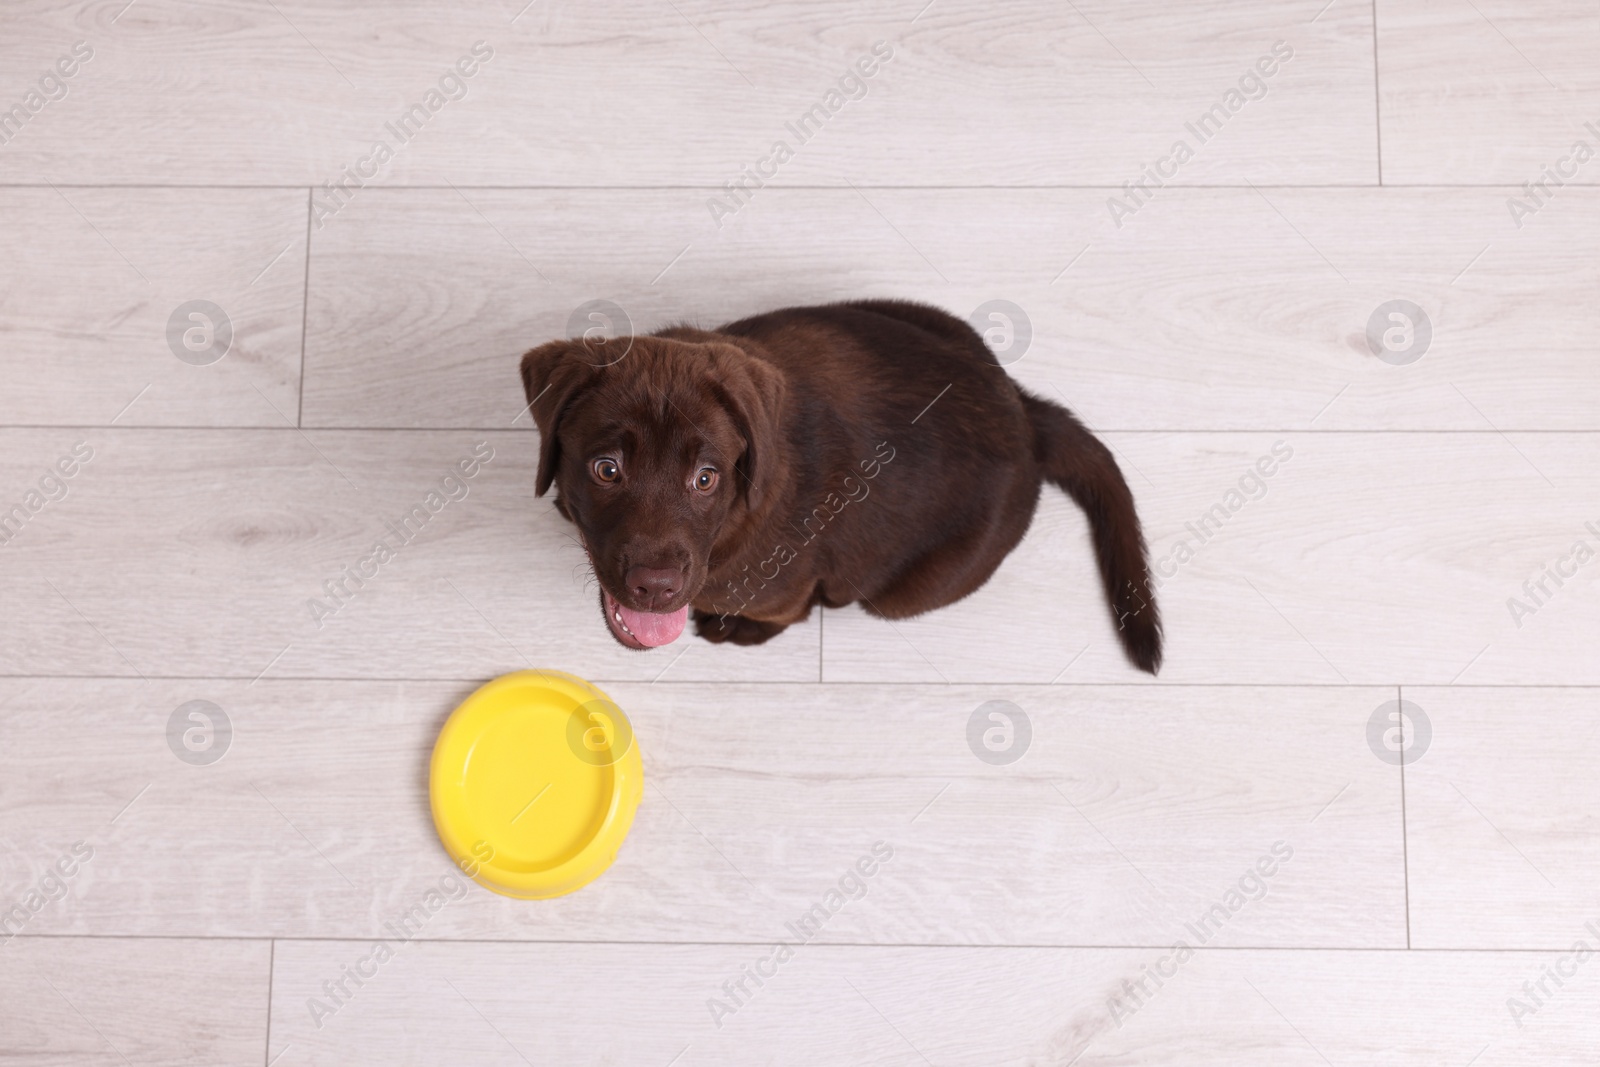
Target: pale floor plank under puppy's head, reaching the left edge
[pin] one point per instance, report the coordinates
(201, 553)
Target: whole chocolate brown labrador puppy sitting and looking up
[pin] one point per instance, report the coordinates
(870, 452)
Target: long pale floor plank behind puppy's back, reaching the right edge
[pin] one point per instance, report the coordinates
(1207, 311)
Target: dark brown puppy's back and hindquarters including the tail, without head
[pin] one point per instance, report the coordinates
(970, 454)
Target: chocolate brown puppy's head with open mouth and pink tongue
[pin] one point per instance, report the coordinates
(657, 455)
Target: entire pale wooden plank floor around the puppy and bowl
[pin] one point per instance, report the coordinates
(377, 345)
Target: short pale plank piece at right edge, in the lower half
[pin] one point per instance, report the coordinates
(1502, 818)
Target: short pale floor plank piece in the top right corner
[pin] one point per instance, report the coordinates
(1487, 92)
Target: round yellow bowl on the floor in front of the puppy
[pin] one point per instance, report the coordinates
(534, 785)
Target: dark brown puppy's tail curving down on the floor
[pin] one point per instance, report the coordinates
(1081, 465)
